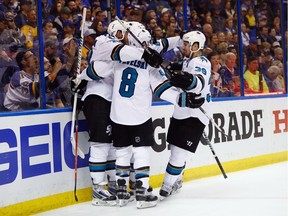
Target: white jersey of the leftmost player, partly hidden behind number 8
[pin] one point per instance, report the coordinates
(106, 49)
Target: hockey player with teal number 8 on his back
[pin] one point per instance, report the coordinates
(132, 122)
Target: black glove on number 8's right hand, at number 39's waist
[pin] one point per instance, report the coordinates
(191, 100)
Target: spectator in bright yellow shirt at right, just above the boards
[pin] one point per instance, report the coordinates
(255, 81)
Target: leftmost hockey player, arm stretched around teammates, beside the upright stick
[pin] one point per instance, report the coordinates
(96, 108)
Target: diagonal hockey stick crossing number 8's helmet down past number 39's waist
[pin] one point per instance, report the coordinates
(168, 75)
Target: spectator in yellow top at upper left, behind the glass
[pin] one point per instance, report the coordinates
(30, 29)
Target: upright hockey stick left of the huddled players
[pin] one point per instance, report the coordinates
(75, 112)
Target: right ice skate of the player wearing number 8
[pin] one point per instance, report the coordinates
(144, 197)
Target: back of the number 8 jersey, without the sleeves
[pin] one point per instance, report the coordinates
(132, 95)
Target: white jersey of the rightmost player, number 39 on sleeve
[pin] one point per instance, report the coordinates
(201, 67)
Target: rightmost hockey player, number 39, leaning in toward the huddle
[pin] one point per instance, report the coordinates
(187, 125)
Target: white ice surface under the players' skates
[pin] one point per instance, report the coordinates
(262, 191)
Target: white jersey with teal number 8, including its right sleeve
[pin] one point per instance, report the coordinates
(134, 82)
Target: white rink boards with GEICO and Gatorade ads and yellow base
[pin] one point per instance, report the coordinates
(37, 164)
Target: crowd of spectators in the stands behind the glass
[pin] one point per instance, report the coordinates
(260, 32)
